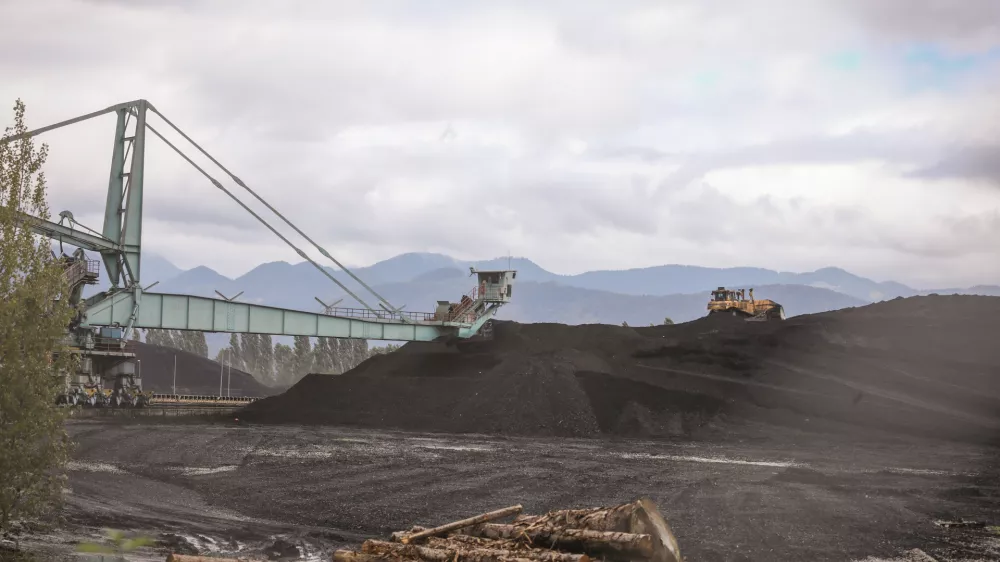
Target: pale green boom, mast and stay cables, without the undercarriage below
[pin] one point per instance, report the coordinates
(127, 305)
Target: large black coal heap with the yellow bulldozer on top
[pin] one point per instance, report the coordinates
(924, 366)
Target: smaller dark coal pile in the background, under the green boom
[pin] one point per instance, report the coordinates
(195, 374)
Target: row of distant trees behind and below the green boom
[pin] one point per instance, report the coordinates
(275, 364)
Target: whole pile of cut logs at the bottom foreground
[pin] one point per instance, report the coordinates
(630, 532)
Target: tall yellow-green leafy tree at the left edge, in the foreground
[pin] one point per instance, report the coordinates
(34, 315)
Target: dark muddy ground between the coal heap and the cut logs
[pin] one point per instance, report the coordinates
(218, 488)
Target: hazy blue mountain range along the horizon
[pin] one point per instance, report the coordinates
(637, 296)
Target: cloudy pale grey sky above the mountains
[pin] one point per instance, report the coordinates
(862, 134)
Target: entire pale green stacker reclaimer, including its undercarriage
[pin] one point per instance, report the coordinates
(99, 333)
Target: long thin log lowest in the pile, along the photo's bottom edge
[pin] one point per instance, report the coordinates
(450, 552)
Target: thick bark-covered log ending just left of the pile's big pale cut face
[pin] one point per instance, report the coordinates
(609, 544)
